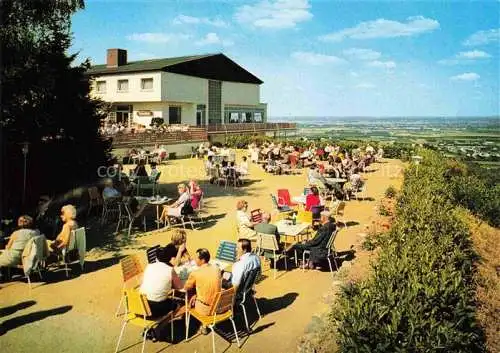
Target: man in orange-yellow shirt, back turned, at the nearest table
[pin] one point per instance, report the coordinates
(207, 282)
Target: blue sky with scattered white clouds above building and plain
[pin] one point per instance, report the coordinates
(325, 57)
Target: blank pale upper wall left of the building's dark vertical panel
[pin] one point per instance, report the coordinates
(182, 88)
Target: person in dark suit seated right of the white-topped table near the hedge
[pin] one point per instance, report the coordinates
(317, 245)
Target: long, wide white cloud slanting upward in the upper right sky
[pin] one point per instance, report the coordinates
(382, 28)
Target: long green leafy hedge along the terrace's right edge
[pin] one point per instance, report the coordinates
(420, 296)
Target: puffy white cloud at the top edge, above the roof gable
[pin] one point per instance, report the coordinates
(276, 14)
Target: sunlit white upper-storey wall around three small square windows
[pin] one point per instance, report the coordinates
(134, 93)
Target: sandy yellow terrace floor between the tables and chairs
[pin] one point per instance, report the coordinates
(77, 315)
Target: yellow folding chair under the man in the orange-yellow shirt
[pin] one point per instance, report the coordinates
(222, 310)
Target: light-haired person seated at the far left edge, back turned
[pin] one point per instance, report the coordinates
(12, 255)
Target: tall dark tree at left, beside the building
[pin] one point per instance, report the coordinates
(45, 102)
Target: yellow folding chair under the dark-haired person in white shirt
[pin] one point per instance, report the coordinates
(139, 314)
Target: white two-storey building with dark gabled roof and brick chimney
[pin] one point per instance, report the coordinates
(195, 90)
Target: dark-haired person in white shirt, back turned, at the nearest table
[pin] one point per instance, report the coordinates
(158, 280)
